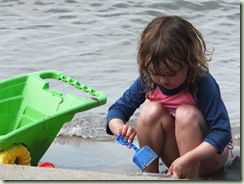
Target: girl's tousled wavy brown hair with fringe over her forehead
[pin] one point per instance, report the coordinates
(170, 41)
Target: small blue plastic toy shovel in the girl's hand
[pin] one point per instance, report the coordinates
(143, 157)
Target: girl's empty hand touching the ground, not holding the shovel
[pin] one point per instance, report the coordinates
(183, 168)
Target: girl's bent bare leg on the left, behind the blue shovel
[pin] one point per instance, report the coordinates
(155, 128)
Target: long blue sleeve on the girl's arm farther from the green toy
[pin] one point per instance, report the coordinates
(215, 113)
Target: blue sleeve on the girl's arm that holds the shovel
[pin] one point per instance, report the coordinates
(126, 105)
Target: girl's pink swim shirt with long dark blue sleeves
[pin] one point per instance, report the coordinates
(208, 101)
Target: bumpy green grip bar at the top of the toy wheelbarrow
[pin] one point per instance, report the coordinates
(99, 96)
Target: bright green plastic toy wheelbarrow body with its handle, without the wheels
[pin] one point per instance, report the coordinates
(32, 114)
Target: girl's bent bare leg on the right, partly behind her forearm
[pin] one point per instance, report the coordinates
(190, 131)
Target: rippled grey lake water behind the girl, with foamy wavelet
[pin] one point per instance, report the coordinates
(96, 41)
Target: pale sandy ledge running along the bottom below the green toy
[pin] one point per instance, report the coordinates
(17, 172)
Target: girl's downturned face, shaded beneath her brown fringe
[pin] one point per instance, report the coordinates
(169, 81)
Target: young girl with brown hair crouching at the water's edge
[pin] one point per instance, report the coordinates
(185, 121)
